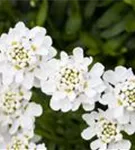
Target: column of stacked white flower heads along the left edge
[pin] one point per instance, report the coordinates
(23, 51)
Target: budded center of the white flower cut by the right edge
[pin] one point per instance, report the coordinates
(125, 93)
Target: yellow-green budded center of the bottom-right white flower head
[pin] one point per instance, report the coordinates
(108, 131)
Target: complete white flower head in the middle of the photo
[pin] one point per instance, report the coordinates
(70, 83)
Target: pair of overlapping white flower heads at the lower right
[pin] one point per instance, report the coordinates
(108, 126)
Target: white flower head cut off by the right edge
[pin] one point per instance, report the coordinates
(120, 95)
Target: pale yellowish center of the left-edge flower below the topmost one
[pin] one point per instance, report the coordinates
(11, 102)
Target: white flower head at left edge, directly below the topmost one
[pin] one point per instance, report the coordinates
(16, 110)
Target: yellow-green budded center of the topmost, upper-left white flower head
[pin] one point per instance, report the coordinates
(19, 56)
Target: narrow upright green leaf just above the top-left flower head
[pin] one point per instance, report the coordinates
(42, 13)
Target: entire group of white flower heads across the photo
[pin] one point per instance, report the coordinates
(27, 60)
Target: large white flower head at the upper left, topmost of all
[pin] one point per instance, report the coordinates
(22, 52)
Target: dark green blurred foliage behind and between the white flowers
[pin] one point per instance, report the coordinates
(104, 28)
